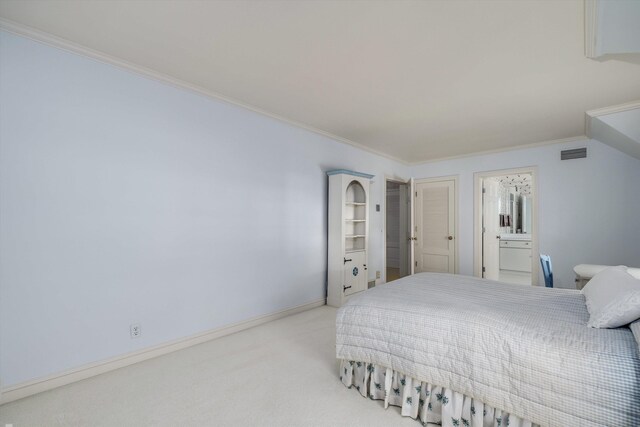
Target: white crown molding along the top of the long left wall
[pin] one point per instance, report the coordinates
(64, 44)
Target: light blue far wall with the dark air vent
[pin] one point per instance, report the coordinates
(588, 208)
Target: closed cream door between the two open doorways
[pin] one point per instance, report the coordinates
(435, 226)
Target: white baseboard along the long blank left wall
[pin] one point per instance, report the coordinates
(29, 388)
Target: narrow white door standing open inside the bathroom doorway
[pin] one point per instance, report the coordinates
(490, 229)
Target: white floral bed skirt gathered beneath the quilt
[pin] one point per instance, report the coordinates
(425, 402)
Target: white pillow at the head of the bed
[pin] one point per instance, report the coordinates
(613, 298)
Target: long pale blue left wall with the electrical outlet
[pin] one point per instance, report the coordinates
(125, 200)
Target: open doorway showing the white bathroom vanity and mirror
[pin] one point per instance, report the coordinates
(506, 226)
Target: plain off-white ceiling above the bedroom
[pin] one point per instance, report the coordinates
(415, 80)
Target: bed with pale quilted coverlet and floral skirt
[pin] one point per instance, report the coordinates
(461, 351)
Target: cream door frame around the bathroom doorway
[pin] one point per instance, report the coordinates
(477, 217)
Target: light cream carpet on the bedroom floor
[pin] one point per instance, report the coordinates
(283, 373)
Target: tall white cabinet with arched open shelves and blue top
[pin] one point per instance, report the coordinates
(348, 220)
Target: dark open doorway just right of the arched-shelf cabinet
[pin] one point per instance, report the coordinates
(397, 226)
